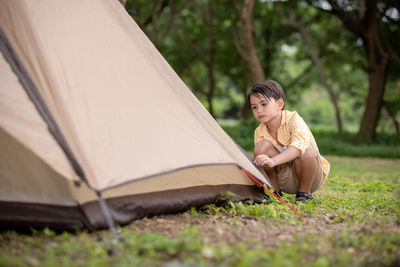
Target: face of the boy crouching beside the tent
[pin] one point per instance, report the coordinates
(265, 110)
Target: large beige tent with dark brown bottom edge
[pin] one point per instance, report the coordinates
(96, 127)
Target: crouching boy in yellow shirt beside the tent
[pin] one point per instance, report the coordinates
(284, 145)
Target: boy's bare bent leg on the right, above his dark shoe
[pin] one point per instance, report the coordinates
(306, 168)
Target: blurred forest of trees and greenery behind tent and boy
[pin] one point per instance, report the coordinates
(337, 60)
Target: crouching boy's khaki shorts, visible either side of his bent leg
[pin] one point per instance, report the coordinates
(288, 181)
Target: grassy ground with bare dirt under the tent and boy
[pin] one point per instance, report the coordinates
(354, 221)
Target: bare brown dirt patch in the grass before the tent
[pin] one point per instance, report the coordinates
(251, 231)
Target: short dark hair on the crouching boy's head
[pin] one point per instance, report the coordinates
(268, 89)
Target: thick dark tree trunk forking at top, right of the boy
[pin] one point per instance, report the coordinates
(363, 21)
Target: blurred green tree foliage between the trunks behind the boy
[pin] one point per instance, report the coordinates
(193, 35)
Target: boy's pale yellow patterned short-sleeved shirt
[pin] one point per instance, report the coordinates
(292, 132)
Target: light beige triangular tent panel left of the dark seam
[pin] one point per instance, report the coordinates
(21, 120)
